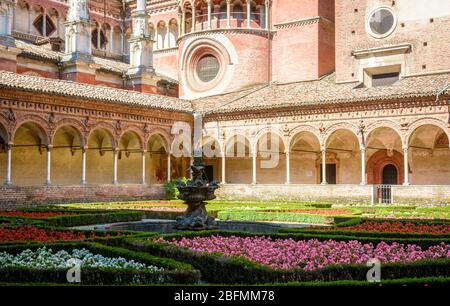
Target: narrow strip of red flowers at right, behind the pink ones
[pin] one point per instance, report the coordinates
(399, 227)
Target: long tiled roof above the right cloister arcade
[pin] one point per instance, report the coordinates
(320, 92)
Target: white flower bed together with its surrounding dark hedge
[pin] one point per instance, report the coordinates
(100, 265)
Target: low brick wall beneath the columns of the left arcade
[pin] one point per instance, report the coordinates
(12, 197)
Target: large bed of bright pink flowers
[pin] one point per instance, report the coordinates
(311, 254)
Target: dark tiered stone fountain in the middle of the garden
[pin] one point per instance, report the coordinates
(194, 193)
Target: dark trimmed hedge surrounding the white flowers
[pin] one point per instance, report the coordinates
(175, 272)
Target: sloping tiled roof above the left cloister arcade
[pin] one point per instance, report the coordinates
(91, 92)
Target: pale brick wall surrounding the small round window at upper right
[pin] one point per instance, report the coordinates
(423, 24)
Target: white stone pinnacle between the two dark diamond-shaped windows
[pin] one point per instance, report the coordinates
(78, 30)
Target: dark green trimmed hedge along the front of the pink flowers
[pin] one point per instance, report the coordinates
(217, 268)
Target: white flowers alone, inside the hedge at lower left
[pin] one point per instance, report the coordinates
(45, 258)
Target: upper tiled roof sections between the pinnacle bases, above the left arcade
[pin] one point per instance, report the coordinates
(106, 64)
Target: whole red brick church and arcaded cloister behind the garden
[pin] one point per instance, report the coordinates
(351, 97)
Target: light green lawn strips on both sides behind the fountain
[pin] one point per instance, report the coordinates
(274, 210)
